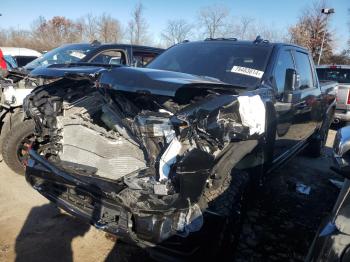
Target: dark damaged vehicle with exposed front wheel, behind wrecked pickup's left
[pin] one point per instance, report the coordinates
(14, 93)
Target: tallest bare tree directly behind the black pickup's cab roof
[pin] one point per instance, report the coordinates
(213, 20)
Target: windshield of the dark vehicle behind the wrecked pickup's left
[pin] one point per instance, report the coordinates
(62, 55)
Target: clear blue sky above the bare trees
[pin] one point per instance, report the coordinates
(277, 14)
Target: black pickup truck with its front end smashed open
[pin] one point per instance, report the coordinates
(162, 155)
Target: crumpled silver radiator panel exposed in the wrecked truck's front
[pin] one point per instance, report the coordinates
(112, 158)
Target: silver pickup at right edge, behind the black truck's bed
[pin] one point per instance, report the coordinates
(340, 74)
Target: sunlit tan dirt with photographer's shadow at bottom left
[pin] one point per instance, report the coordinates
(32, 229)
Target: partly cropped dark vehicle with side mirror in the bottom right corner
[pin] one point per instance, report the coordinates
(332, 241)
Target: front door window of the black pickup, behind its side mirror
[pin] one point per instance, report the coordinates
(284, 62)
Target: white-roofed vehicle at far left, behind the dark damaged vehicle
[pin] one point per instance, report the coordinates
(22, 56)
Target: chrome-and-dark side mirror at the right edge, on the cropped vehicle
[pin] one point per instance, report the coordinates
(341, 152)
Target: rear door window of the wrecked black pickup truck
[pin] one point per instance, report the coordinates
(304, 70)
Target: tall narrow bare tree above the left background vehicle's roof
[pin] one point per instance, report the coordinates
(137, 27)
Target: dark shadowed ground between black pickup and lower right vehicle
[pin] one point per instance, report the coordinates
(281, 224)
